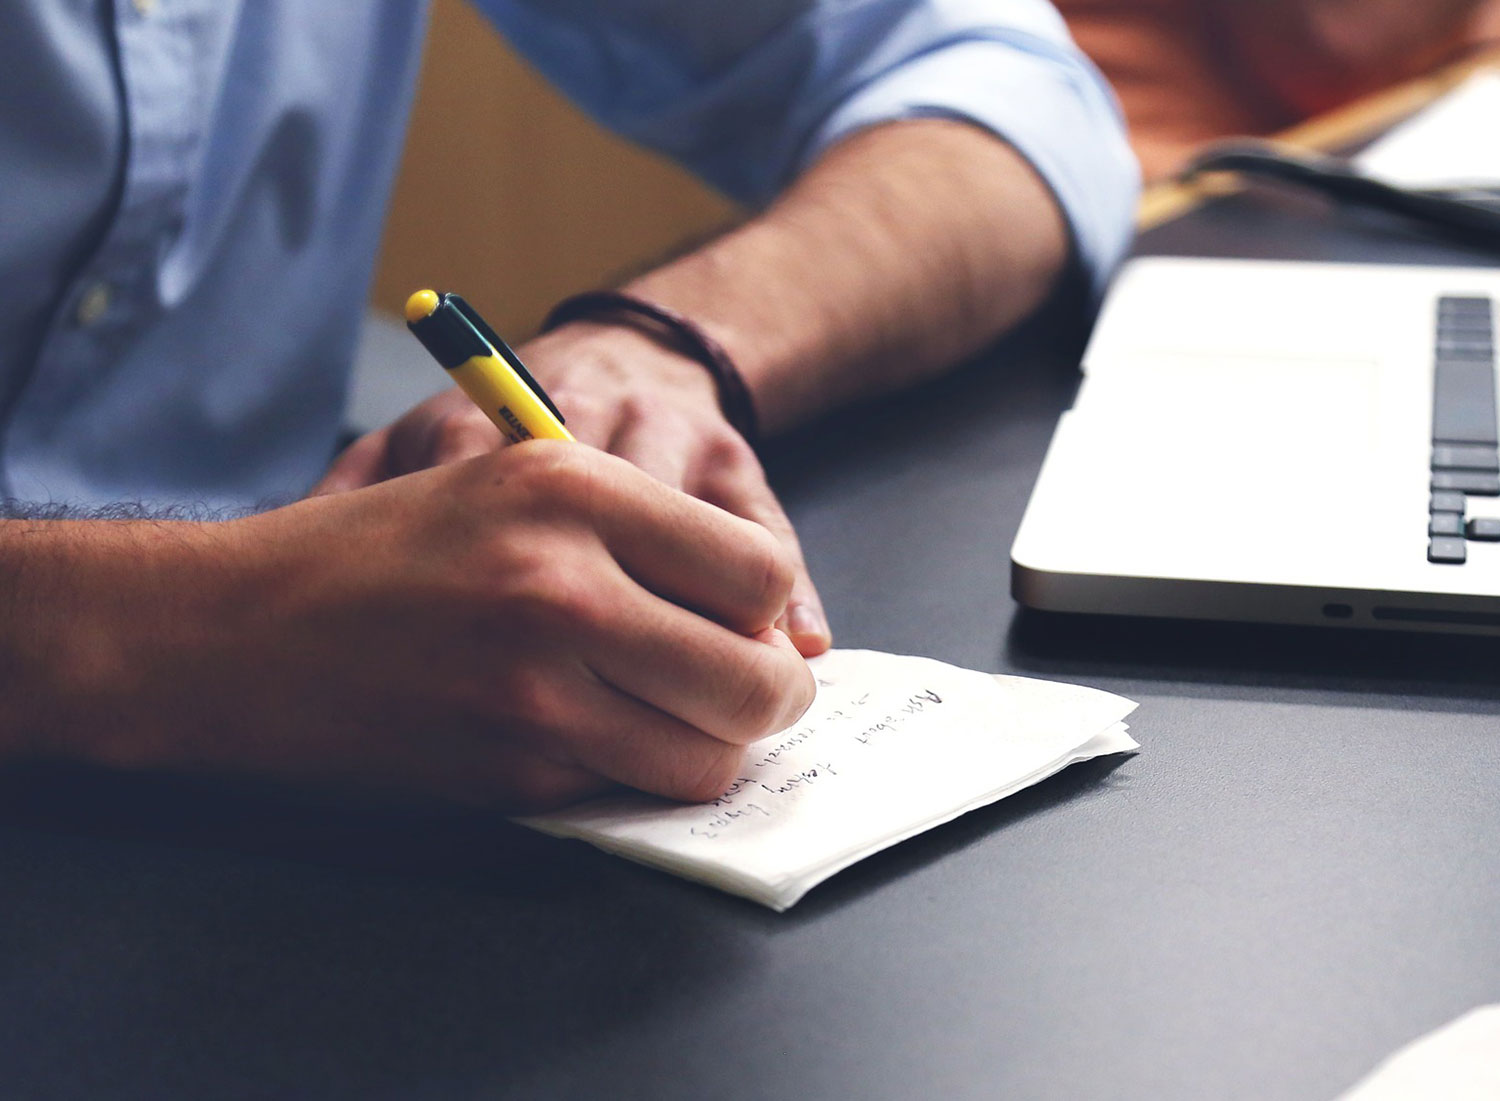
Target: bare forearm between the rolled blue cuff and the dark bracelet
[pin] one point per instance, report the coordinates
(904, 250)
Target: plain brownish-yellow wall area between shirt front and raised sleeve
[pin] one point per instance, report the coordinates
(509, 196)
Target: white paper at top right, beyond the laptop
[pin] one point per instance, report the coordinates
(1450, 145)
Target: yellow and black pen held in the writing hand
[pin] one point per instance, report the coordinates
(485, 367)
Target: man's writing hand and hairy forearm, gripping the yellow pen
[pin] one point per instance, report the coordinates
(518, 631)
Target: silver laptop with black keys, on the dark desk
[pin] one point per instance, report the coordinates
(1279, 443)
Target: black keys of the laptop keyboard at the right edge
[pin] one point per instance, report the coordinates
(1466, 433)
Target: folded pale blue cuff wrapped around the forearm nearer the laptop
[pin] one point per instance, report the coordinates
(1045, 101)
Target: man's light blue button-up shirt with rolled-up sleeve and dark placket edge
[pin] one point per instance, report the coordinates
(193, 191)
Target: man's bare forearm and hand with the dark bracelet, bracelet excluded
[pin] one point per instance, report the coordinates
(907, 248)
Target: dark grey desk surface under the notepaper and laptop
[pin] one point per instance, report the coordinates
(1295, 877)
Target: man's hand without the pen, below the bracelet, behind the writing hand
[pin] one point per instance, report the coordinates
(626, 395)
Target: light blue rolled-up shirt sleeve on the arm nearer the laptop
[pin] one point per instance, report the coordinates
(748, 95)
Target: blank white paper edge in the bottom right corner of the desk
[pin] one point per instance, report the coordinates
(1457, 1063)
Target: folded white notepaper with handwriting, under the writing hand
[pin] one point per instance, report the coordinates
(890, 748)
